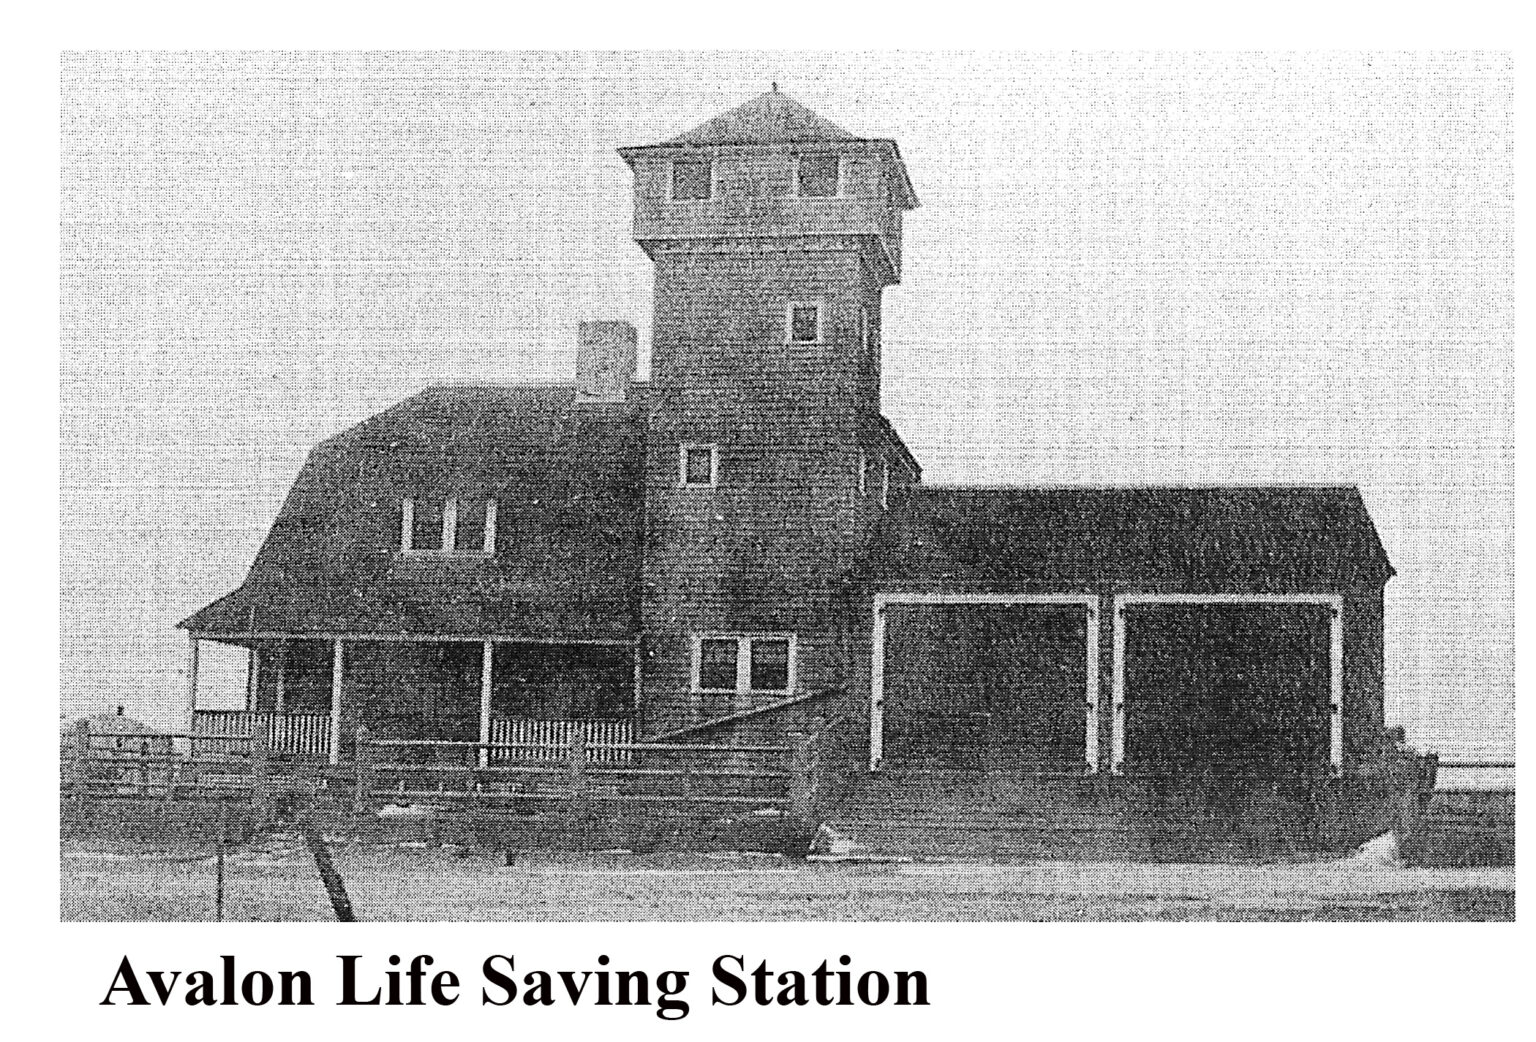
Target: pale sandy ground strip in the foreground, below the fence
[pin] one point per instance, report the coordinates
(277, 881)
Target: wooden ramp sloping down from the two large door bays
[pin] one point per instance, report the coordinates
(938, 815)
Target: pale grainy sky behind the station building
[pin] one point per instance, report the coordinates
(1127, 270)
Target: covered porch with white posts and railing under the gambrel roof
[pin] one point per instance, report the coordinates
(308, 695)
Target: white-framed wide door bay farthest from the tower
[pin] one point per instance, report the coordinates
(1228, 694)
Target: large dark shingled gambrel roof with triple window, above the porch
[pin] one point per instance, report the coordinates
(568, 483)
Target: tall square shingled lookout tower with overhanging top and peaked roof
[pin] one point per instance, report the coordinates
(775, 234)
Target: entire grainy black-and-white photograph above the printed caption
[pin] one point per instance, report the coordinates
(787, 486)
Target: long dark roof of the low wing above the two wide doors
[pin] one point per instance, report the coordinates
(1159, 539)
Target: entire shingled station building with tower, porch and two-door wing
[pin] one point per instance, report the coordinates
(746, 542)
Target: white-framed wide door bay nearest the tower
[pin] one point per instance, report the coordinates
(988, 686)
